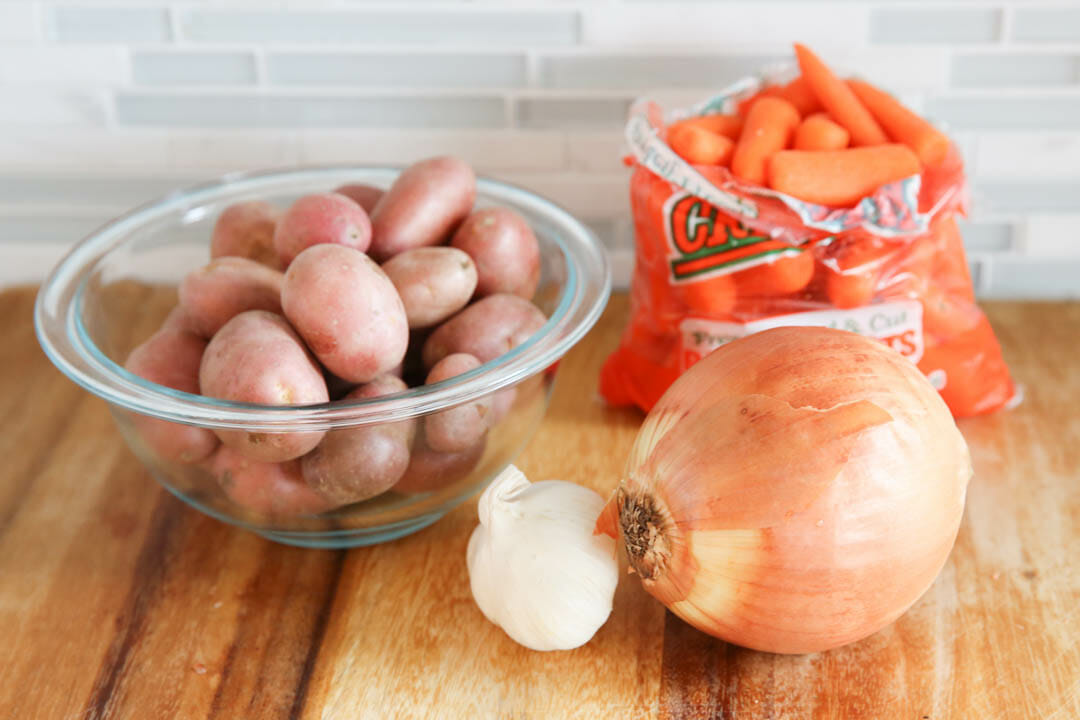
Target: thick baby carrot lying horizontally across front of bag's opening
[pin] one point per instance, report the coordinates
(840, 178)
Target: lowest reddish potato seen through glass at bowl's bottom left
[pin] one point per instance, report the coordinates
(268, 488)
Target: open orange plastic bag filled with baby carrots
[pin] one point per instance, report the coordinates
(814, 202)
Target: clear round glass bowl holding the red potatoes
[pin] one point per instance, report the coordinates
(114, 290)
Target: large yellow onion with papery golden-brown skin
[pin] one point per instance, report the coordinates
(794, 492)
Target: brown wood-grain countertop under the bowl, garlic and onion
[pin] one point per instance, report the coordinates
(119, 602)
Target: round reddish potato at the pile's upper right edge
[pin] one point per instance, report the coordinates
(506, 252)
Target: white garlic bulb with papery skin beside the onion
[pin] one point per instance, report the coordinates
(535, 566)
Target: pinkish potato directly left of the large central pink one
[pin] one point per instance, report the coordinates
(219, 292)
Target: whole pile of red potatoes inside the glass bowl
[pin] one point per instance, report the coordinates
(348, 295)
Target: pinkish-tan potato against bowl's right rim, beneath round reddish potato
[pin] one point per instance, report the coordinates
(488, 329)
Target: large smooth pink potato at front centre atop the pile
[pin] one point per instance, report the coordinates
(347, 310)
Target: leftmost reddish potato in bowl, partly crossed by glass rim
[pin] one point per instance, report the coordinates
(171, 358)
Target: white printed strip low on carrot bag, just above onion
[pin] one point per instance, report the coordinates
(897, 324)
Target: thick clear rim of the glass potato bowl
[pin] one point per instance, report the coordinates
(69, 346)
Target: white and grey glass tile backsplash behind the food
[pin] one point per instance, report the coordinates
(110, 103)
